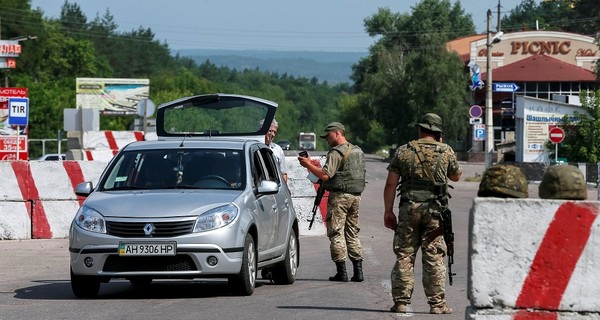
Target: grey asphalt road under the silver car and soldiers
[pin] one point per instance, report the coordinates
(34, 278)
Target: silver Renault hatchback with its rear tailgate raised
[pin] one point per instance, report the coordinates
(205, 200)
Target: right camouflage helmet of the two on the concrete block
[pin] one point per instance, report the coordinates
(563, 182)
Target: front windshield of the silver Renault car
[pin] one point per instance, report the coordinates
(176, 169)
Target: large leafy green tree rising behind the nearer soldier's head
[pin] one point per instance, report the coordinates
(409, 72)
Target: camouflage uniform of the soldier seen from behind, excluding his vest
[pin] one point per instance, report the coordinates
(416, 219)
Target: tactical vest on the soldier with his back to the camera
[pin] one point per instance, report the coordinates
(421, 188)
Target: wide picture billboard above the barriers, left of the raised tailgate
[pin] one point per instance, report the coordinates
(111, 96)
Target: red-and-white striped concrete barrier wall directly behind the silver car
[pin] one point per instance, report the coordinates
(38, 201)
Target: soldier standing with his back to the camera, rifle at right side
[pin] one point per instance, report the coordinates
(420, 171)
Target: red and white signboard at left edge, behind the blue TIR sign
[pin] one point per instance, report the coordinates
(9, 133)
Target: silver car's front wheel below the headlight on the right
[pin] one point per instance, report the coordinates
(244, 282)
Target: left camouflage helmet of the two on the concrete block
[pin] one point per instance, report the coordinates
(503, 181)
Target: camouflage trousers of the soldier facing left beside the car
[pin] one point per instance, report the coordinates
(343, 226)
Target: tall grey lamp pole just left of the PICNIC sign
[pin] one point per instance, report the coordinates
(489, 120)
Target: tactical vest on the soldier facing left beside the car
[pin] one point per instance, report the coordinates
(350, 177)
